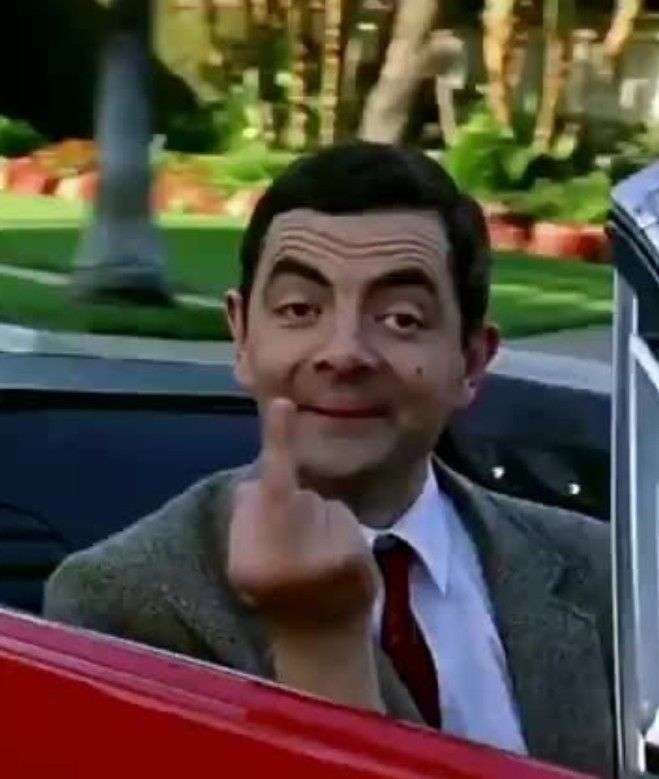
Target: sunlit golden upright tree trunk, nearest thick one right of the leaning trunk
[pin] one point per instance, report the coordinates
(498, 38)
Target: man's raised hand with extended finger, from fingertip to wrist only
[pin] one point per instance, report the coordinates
(298, 559)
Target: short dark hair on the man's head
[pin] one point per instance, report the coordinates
(361, 176)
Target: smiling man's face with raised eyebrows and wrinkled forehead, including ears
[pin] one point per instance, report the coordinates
(355, 319)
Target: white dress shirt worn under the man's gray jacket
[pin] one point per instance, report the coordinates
(452, 607)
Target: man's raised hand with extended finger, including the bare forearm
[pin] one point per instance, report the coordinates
(303, 563)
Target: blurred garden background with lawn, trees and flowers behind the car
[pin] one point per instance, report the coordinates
(137, 135)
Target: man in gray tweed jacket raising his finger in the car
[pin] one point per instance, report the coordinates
(361, 328)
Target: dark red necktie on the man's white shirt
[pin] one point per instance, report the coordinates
(402, 638)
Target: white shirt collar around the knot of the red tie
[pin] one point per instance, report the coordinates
(425, 528)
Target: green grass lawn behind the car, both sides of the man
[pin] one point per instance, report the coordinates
(530, 295)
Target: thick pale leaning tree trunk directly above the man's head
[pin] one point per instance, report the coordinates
(407, 62)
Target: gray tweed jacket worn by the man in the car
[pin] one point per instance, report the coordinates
(163, 582)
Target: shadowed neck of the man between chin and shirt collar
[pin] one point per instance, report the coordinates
(379, 499)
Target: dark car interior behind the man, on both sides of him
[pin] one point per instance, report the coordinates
(80, 464)
